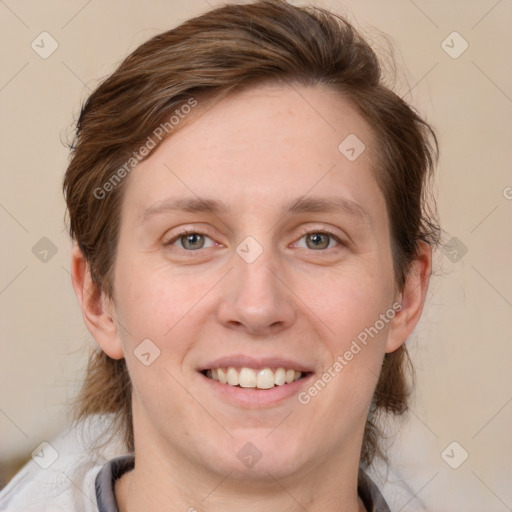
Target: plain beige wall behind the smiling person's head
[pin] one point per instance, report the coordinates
(462, 348)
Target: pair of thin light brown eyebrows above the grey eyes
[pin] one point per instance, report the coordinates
(300, 205)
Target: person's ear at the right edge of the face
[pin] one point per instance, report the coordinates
(412, 298)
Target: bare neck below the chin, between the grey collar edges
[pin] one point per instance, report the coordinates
(157, 485)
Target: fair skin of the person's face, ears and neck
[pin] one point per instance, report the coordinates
(255, 150)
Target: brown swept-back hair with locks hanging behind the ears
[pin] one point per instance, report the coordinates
(226, 49)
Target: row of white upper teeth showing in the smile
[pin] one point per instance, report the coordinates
(264, 378)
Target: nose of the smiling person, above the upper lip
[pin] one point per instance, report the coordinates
(256, 298)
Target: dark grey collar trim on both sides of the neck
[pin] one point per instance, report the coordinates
(113, 469)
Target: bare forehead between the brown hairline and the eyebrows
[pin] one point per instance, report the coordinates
(261, 145)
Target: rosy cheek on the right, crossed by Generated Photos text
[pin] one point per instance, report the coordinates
(350, 308)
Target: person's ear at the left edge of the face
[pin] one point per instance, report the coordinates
(97, 311)
